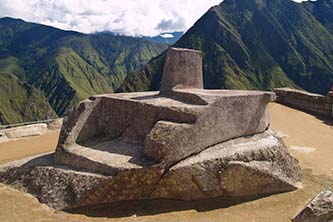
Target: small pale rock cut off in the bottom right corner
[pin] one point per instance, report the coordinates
(319, 209)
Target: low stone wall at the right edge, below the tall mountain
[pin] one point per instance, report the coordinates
(308, 102)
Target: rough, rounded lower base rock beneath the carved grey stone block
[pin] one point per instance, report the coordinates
(242, 167)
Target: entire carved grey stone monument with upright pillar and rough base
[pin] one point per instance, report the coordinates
(183, 143)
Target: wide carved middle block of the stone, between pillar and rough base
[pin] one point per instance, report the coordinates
(166, 129)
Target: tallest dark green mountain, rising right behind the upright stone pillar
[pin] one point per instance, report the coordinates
(257, 44)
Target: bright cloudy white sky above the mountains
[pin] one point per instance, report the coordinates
(127, 17)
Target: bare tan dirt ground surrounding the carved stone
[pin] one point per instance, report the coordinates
(310, 140)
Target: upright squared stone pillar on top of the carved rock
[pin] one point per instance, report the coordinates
(182, 70)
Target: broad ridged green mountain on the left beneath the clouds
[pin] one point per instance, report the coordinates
(69, 66)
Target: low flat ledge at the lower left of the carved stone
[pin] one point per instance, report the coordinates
(104, 157)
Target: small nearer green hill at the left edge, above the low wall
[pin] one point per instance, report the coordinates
(21, 102)
